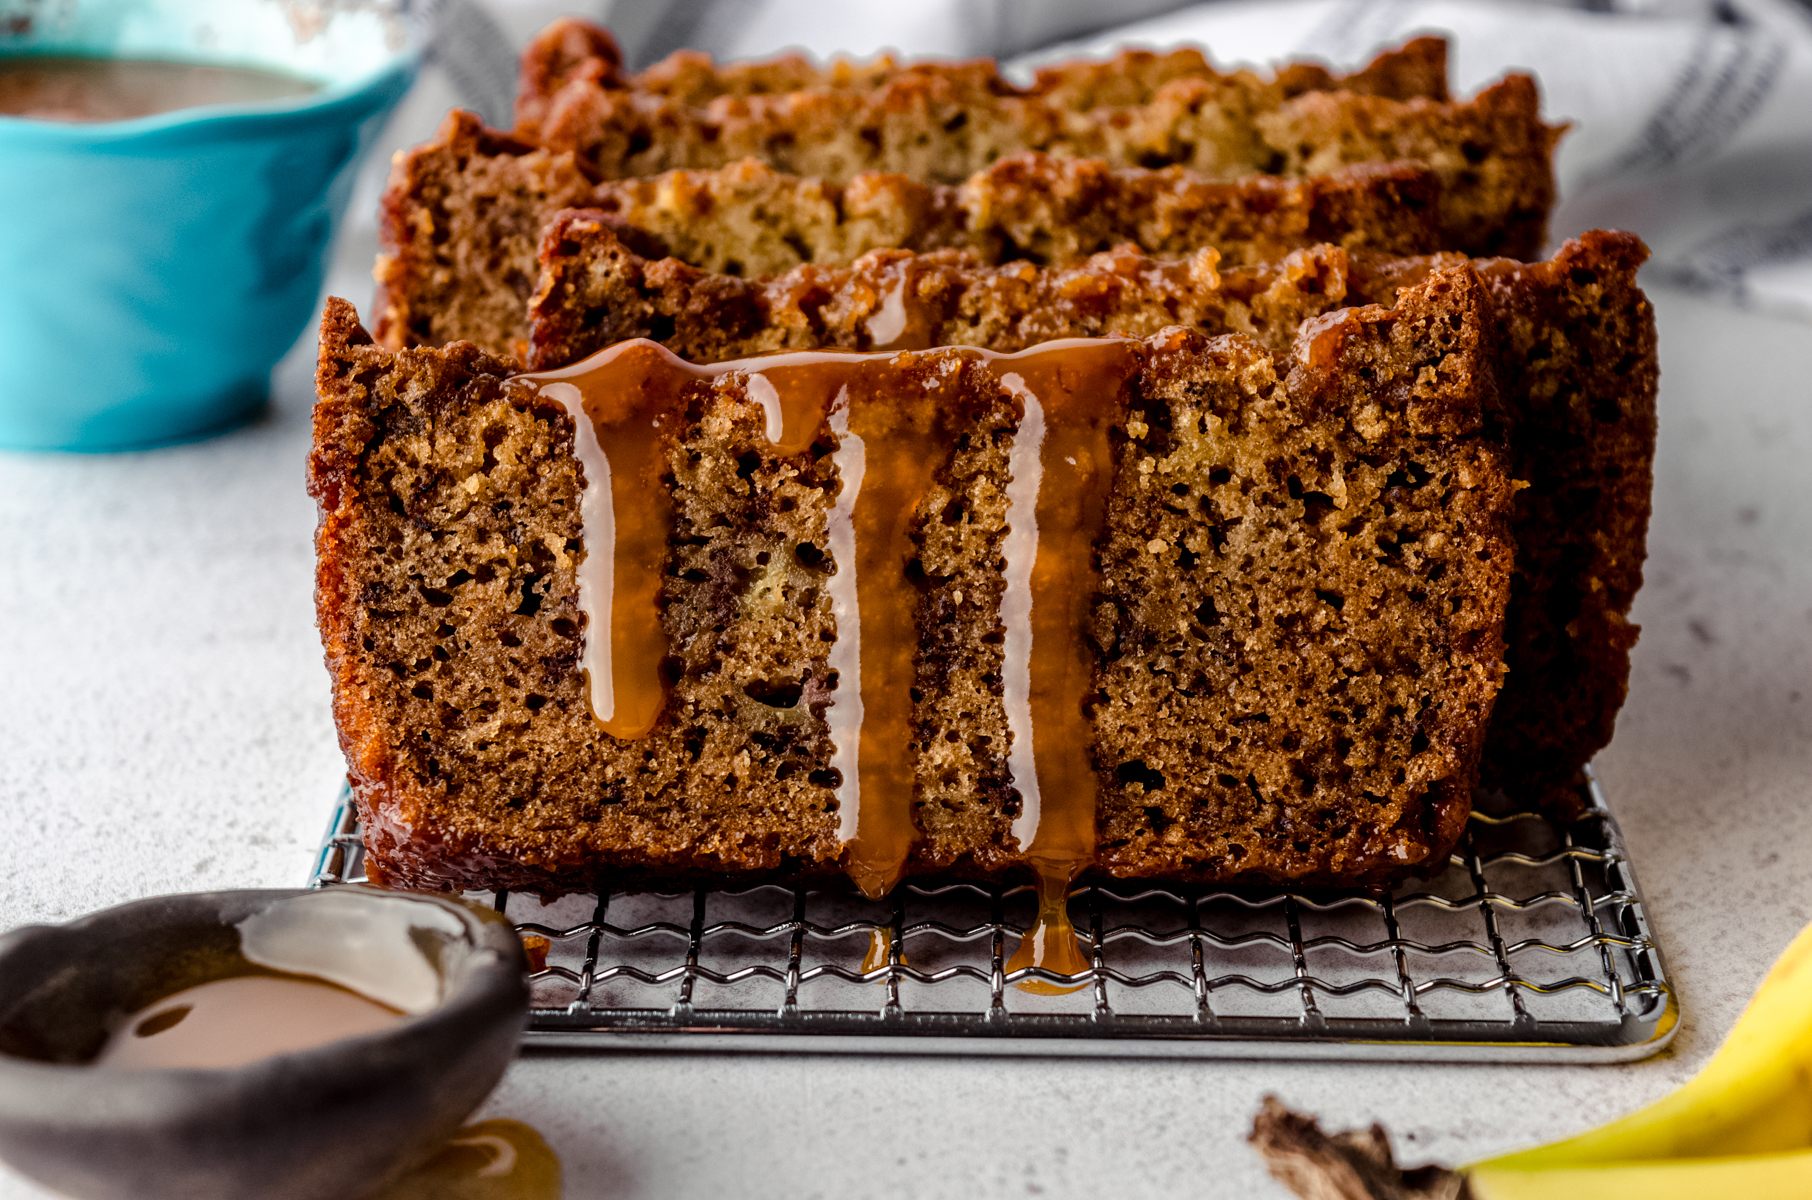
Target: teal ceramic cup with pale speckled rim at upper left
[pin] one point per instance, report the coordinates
(153, 271)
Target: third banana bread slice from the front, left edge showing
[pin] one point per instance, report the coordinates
(465, 213)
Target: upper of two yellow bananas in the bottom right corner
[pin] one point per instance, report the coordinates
(1755, 1098)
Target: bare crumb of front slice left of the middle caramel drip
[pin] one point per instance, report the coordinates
(447, 595)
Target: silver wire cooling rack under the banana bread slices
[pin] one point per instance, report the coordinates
(1530, 947)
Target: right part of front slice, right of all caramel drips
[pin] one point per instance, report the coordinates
(1282, 552)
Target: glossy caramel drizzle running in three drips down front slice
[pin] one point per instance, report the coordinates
(894, 431)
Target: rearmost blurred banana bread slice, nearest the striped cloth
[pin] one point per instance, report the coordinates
(943, 122)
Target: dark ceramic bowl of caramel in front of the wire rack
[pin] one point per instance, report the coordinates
(331, 1121)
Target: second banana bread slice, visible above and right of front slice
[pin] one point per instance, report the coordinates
(1574, 338)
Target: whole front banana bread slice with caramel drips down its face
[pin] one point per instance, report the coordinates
(1175, 606)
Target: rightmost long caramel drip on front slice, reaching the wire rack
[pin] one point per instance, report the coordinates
(1057, 512)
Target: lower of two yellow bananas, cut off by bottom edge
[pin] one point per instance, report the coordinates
(1751, 1177)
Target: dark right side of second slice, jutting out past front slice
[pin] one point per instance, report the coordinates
(1579, 353)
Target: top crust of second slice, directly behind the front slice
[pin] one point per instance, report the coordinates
(595, 293)
